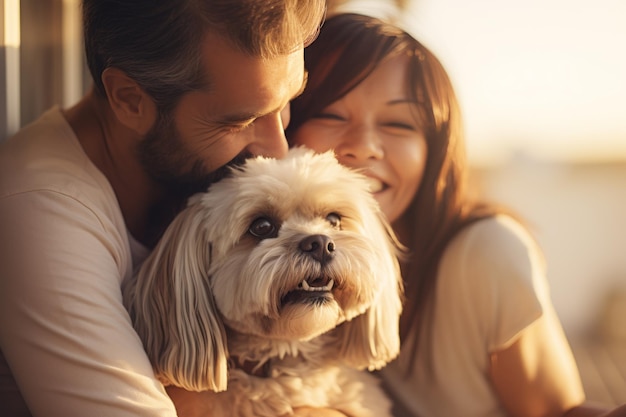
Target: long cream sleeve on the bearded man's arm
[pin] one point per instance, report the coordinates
(63, 329)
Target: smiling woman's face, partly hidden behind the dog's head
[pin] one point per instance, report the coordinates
(374, 128)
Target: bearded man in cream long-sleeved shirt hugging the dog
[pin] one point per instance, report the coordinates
(182, 88)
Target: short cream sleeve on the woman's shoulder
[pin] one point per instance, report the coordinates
(505, 281)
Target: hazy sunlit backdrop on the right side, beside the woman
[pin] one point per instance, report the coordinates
(542, 85)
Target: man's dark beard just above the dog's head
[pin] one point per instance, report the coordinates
(167, 161)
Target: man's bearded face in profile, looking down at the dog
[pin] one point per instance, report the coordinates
(243, 113)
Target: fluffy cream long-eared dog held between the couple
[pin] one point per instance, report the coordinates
(275, 289)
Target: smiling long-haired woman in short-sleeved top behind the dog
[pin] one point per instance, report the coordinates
(479, 334)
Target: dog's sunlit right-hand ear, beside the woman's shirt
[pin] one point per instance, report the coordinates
(372, 339)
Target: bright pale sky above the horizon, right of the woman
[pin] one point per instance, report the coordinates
(546, 78)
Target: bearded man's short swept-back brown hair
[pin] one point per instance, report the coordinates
(157, 42)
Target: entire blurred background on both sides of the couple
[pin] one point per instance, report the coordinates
(542, 85)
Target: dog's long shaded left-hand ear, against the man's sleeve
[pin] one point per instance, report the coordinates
(173, 310)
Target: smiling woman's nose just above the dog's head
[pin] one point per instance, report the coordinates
(361, 142)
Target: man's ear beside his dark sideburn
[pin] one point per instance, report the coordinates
(133, 107)
